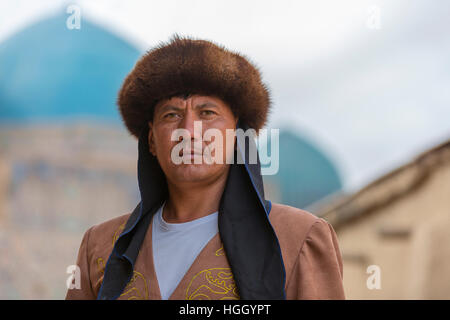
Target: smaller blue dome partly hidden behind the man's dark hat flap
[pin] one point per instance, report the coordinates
(305, 174)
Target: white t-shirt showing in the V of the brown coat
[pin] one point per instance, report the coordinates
(176, 245)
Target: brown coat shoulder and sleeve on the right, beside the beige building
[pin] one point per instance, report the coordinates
(311, 254)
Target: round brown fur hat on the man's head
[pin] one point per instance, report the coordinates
(191, 66)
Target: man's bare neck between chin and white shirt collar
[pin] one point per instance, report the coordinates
(190, 202)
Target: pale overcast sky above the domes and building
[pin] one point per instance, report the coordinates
(371, 89)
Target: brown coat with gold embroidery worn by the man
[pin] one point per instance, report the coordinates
(308, 244)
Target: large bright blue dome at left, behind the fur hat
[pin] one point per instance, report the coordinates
(50, 72)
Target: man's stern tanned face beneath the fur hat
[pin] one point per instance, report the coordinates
(178, 113)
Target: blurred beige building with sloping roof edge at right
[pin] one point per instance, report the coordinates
(399, 223)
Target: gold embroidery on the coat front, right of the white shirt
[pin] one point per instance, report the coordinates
(212, 284)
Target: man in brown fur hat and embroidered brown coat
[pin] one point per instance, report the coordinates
(203, 230)
